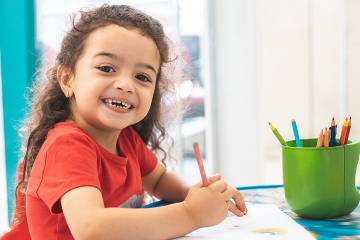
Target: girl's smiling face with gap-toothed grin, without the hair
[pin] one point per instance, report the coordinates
(114, 79)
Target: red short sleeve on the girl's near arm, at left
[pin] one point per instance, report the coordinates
(70, 162)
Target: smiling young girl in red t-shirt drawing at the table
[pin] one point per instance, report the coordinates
(86, 152)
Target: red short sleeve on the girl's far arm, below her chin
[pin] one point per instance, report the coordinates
(147, 159)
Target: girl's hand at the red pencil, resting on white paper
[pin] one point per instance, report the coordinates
(208, 206)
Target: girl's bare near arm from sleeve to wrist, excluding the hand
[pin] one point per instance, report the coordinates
(88, 219)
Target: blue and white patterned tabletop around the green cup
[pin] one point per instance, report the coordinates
(346, 227)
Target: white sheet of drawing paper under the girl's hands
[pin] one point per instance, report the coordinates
(263, 221)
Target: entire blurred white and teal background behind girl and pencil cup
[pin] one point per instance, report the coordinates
(248, 62)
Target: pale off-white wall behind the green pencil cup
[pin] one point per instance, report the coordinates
(276, 61)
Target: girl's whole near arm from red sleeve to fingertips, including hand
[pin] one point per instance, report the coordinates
(87, 217)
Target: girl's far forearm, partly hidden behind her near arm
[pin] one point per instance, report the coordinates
(165, 185)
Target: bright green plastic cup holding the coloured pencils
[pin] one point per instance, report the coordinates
(319, 183)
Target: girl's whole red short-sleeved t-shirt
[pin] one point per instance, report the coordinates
(69, 158)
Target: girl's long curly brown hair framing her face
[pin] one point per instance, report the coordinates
(50, 105)
